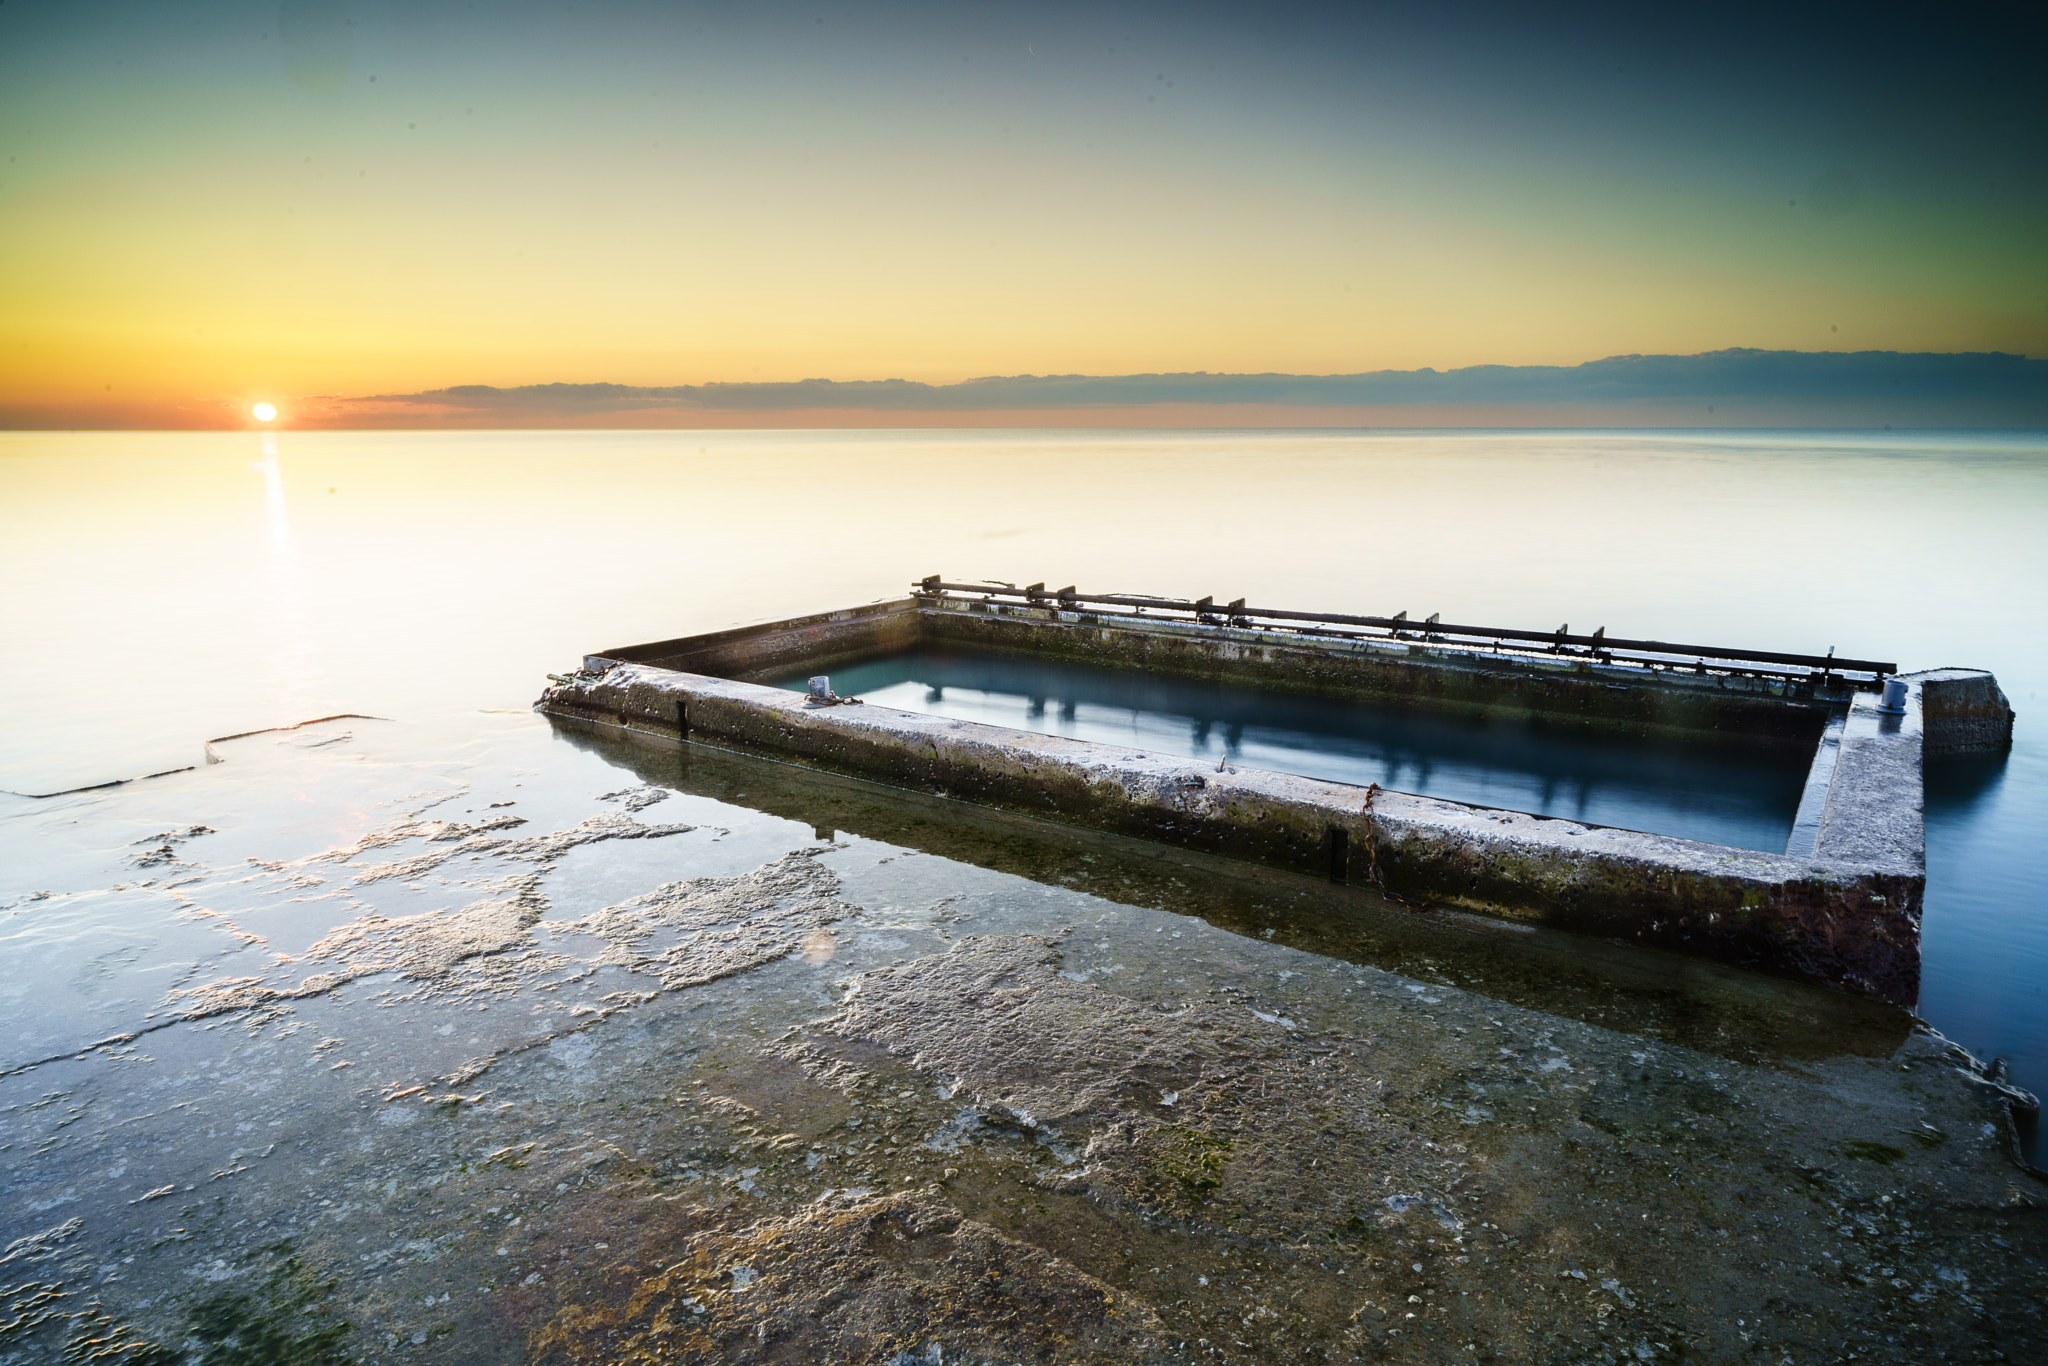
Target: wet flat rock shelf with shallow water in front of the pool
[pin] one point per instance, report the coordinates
(497, 1043)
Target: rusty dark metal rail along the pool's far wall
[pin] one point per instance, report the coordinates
(1598, 646)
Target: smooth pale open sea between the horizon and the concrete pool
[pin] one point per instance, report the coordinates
(169, 589)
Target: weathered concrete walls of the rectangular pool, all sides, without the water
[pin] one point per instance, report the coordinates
(1846, 916)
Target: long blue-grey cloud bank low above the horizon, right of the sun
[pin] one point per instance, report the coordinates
(2006, 388)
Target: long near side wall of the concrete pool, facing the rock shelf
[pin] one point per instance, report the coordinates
(1850, 925)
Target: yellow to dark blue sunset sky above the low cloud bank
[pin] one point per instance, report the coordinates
(325, 202)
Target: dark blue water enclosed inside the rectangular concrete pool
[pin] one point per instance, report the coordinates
(1703, 794)
